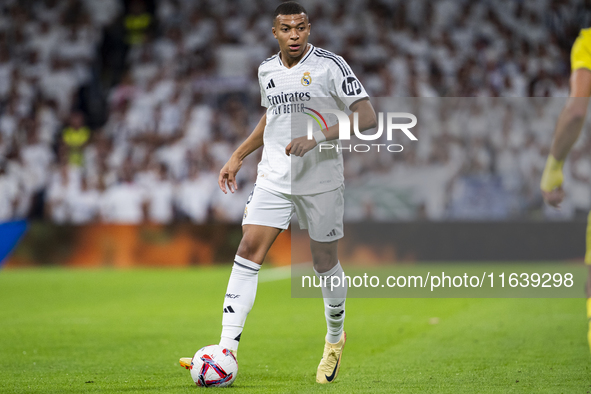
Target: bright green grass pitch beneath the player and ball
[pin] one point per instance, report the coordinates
(70, 331)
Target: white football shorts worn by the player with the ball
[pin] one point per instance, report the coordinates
(321, 214)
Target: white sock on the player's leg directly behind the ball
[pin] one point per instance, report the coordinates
(239, 299)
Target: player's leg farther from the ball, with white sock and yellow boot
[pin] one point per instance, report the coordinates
(326, 265)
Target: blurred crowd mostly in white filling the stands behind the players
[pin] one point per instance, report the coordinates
(124, 111)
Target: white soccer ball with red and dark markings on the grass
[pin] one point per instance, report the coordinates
(214, 366)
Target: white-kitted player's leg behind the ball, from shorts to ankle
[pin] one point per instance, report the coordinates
(242, 286)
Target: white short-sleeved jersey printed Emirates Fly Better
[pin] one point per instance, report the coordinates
(294, 98)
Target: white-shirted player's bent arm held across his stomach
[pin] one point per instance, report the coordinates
(366, 117)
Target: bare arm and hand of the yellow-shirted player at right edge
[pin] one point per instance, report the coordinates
(568, 129)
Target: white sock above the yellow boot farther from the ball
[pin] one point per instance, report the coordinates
(334, 303)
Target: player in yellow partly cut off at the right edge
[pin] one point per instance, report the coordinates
(568, 129)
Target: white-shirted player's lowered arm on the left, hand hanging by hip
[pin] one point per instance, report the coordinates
(230, 169)
